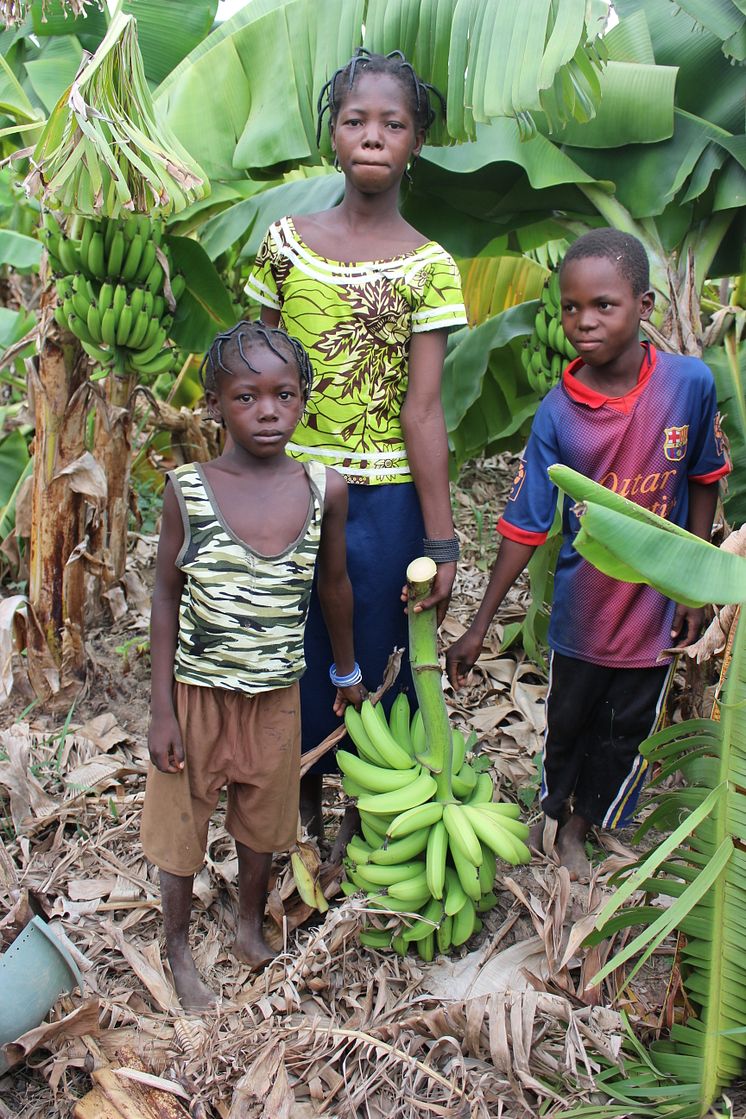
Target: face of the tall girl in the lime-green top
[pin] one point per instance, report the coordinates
(374, 134)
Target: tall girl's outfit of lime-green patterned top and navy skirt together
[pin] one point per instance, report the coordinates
(356, 322)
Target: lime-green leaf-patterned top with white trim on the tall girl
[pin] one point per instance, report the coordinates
(356, 322)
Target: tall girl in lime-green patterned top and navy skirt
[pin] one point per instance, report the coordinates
(372, 300)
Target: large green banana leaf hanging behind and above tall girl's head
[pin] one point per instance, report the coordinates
(493, 59)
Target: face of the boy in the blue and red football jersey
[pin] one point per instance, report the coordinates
(601, 315)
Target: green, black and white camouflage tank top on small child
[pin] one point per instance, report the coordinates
(242, 614)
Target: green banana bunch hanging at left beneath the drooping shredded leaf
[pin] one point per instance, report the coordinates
(117, 293)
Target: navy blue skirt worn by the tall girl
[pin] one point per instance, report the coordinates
(385, 533)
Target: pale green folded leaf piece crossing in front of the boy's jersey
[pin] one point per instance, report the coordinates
(625, 541)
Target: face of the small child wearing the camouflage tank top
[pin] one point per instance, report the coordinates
(260, 410)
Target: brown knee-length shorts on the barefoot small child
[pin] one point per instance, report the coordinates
(249, 745)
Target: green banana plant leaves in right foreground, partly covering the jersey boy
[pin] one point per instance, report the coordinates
(702, 864)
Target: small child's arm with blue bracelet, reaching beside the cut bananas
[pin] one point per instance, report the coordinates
(336, 590)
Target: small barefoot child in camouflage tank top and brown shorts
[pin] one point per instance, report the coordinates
(237, 557)
